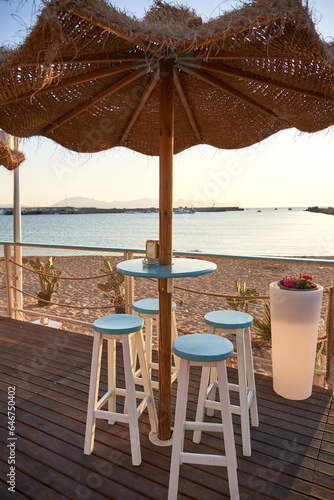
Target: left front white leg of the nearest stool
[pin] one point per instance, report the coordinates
(178, 434)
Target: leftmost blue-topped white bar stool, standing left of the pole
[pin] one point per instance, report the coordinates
(120, 327)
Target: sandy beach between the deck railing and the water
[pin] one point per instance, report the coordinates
(87, 303)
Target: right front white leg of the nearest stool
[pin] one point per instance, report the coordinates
(231, 459)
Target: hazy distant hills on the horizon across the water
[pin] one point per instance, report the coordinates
(80, 201)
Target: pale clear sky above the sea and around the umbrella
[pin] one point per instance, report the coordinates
(288, 169)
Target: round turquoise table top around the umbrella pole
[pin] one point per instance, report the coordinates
(181, 268)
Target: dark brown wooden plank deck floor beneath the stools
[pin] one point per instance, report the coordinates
(292, 449)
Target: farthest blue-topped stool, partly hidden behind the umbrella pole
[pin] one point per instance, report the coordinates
(148, 309)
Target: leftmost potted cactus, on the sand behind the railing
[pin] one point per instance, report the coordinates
(48, 279)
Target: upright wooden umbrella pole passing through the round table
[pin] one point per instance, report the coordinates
(165, 245)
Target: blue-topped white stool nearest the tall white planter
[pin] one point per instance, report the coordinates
(238, 323)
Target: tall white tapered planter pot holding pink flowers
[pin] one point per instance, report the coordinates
(295, 316)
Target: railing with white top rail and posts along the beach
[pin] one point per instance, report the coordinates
(13, 277)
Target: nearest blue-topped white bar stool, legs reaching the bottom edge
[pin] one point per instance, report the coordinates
(206, 351)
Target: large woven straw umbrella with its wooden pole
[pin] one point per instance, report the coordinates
(91, 78)
